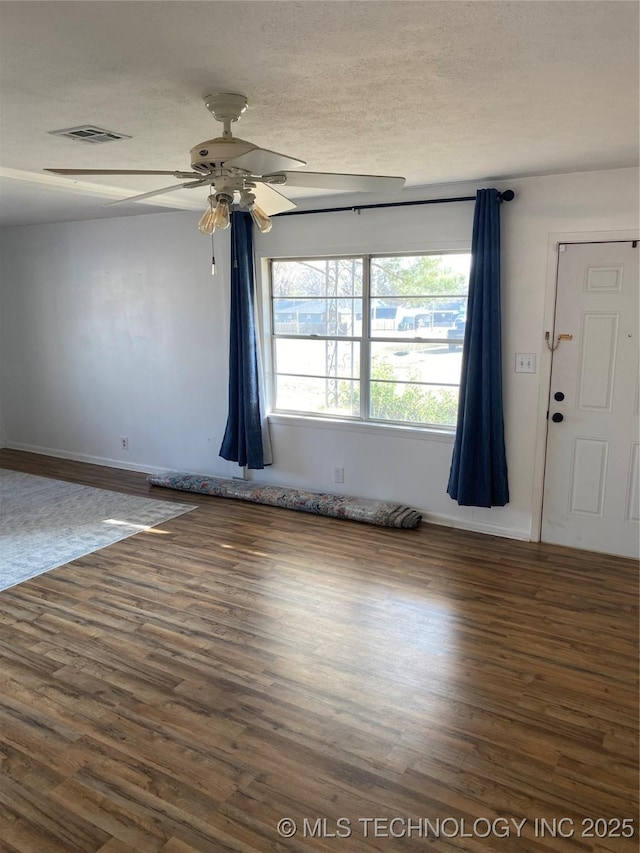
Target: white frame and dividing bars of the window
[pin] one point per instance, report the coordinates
(363, 419)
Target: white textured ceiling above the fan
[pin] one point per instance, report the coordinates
(436, 91)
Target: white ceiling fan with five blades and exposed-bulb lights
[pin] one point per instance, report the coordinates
(241, 172)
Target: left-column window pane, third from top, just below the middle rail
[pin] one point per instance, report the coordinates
(318, 358)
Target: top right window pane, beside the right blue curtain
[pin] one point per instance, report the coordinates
(428, 275)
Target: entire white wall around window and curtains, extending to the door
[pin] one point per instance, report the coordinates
(116, 327)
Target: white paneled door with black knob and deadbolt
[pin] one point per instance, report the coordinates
(591, 488)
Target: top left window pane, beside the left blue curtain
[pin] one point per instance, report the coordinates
(339, 277)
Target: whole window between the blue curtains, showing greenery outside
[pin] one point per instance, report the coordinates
(370, 338)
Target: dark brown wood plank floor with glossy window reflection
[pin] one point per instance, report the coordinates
(189, 687)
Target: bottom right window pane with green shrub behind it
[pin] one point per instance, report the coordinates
(425, 404)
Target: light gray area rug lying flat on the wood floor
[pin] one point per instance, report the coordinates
(46, 523)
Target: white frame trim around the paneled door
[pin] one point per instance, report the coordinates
(545, 357)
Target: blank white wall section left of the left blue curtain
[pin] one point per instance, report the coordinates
(116, 328)
